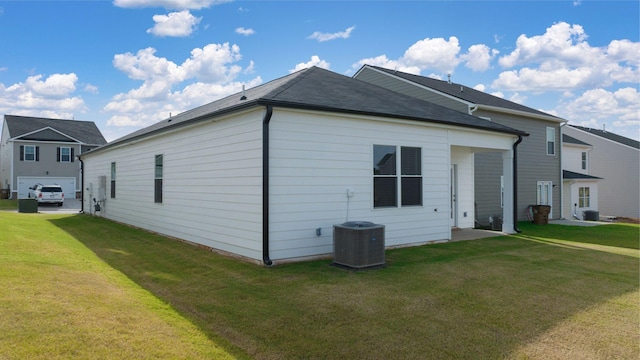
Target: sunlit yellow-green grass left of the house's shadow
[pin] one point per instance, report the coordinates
(58, 300)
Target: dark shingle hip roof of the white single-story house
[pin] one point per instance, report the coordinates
(324, 90)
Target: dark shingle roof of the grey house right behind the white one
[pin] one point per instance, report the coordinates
(463, 92)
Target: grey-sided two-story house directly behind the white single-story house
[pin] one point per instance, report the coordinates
(538, 156)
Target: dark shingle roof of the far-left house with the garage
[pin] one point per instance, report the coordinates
(84, 131)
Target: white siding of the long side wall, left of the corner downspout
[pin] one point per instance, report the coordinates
(213, 199)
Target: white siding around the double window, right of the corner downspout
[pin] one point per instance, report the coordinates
(316, 158)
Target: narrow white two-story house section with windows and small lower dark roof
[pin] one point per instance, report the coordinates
(580, 188)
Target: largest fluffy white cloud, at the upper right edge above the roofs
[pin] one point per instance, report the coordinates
(562, 59)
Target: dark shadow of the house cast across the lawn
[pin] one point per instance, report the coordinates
(471, 299)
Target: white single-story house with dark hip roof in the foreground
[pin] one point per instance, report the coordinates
(265, 174)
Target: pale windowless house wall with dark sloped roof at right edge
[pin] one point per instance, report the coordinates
(616, 159)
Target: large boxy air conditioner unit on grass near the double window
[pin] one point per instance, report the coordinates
(358, 244)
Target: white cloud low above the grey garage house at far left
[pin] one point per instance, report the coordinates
(51, 97)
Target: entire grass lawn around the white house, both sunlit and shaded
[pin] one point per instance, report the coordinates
(86, 287)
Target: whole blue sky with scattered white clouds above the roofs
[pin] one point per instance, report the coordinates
(126, 64)
